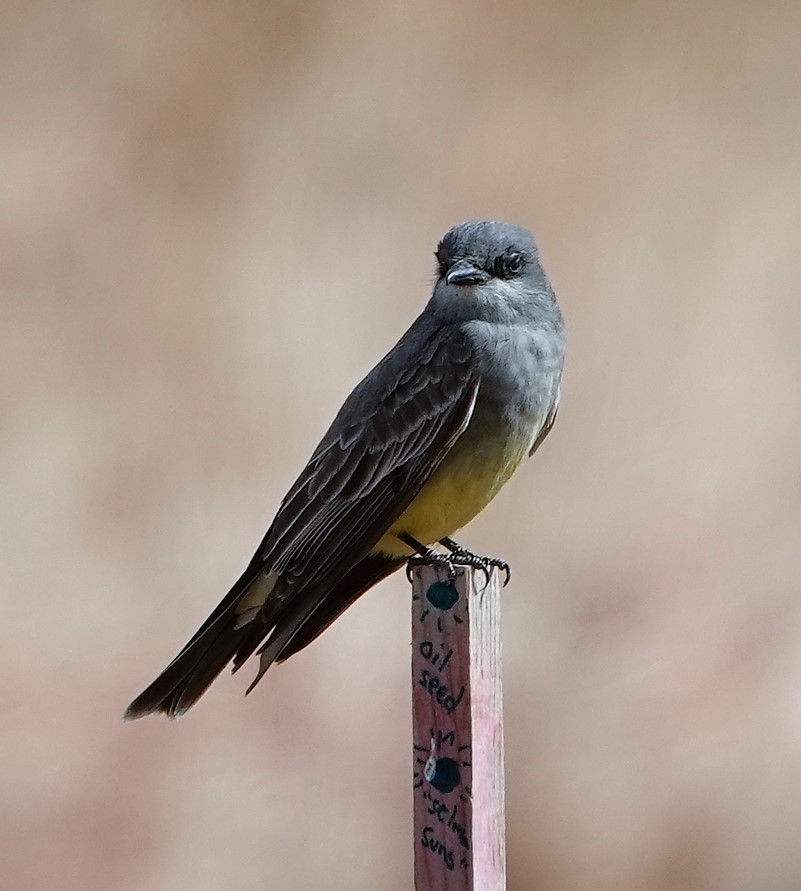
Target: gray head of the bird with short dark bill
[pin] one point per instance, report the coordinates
(490, 269)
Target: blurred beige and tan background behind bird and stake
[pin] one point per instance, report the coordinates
(214, 219)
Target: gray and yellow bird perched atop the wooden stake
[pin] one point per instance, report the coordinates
(421, 445)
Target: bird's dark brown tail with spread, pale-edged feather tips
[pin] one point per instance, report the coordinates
(232, 633)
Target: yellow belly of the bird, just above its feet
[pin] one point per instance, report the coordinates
(460, 488)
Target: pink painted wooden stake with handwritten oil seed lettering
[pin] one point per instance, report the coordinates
(459, 826)
